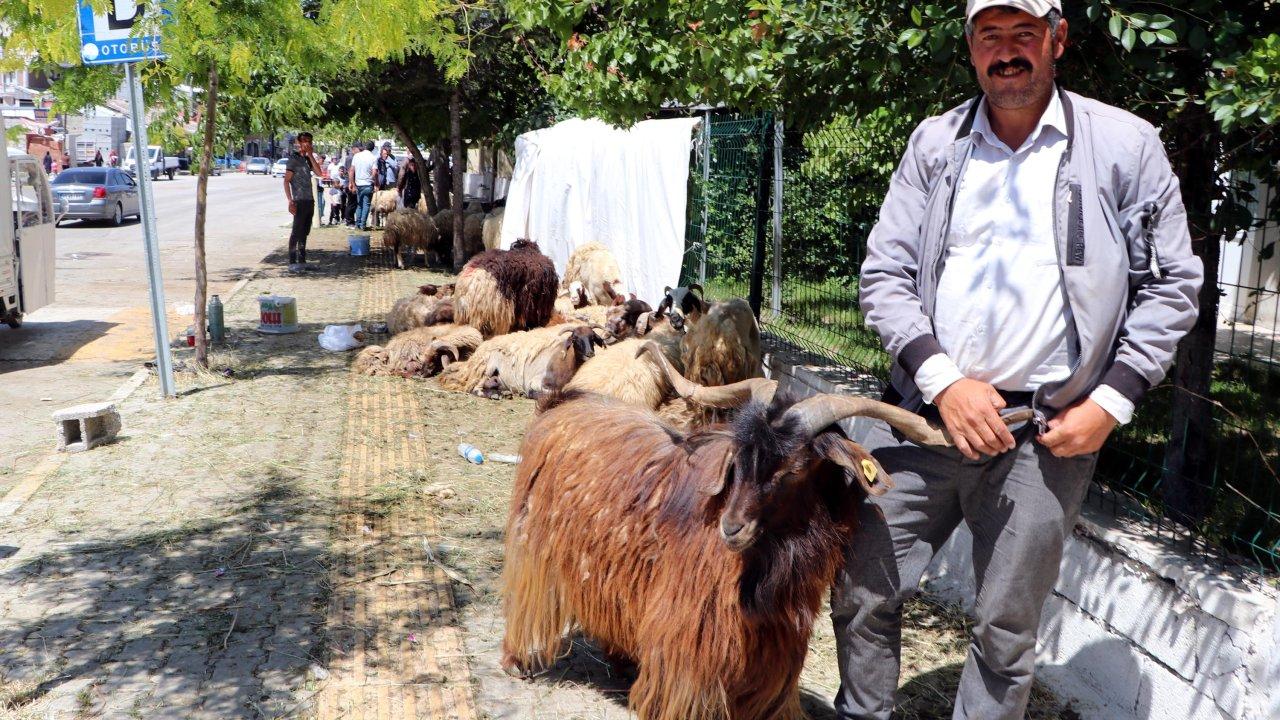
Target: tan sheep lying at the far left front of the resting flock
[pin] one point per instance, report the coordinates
(419, 352)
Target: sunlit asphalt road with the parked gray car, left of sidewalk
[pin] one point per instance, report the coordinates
(99, 330)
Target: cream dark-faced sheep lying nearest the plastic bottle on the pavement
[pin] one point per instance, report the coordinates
(525, 363)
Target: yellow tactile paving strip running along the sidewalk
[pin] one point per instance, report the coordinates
(396, 650)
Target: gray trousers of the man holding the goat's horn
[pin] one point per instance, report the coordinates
(1021, 508)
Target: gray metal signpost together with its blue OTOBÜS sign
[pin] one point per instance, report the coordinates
(109, 39)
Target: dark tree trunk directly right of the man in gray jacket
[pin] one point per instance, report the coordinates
(1188, 459)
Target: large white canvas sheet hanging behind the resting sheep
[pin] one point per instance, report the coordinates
(583, 181)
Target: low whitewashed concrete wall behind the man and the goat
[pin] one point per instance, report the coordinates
(1133, 630)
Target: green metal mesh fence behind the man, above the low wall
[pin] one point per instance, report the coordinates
(803, 281)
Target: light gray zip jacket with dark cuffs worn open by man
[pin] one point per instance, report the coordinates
(1123, 245)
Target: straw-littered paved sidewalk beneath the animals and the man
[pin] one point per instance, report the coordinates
(295, 541)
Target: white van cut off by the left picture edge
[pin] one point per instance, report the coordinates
(28, 241)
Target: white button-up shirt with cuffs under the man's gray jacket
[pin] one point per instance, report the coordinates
(1002, 313)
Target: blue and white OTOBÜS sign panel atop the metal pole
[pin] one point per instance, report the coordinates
(109, 38)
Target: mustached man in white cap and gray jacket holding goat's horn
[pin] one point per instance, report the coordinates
(1032, 253)
